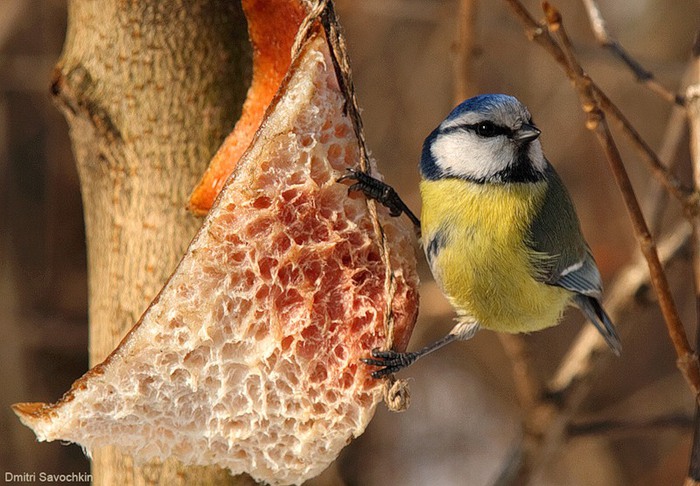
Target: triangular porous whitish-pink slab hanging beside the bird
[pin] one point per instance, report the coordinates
(249, 357)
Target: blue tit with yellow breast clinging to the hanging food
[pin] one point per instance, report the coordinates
(498, 227)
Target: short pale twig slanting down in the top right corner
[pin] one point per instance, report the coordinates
(644, 76)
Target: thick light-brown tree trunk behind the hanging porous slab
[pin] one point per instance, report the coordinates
(150, 89)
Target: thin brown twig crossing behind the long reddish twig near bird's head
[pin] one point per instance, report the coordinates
(539, 34)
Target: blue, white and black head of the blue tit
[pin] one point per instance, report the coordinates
(488, 138)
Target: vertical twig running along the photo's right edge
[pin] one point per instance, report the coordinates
(693, 107)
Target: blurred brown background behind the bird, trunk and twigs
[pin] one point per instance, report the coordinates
(464, 419)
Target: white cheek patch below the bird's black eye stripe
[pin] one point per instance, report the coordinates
(463, 155)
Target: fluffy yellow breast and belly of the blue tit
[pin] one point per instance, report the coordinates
(475, 238)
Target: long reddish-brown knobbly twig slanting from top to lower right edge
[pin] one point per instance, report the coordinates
(687, 360)
